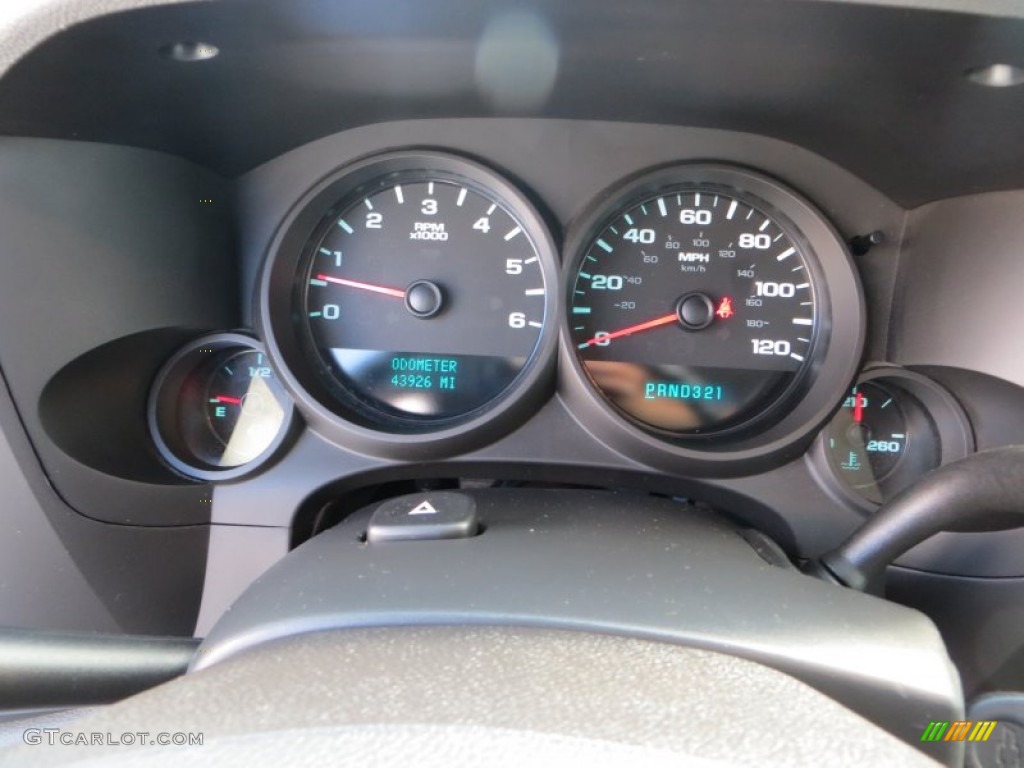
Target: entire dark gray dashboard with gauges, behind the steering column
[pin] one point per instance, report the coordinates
(760, 259)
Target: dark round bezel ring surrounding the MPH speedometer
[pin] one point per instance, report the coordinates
(809, 403)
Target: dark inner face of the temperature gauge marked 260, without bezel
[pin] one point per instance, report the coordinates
(881, 441)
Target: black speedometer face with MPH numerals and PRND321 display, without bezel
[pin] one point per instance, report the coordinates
(695, 312)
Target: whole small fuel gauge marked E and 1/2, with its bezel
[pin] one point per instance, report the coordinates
(218, 408)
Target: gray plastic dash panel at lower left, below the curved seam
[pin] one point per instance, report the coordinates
(62, 571)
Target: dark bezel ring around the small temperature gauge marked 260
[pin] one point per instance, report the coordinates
(953, 430)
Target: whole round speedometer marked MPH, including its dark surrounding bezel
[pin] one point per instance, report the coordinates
(699, 305)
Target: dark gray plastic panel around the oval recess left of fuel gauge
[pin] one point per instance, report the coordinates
(131, 247)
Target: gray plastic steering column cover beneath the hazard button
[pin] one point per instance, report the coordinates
(618, 564)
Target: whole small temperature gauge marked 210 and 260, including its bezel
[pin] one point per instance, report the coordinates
(892, 428)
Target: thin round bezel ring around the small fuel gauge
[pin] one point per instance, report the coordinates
(162, 402)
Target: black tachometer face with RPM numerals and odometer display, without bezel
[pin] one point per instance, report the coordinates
(422, 298)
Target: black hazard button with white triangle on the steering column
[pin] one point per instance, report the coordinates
(436, 516)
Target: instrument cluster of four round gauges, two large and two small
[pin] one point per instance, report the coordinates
(699, 318)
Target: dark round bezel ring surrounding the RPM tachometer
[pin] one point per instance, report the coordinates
(288, 348)
